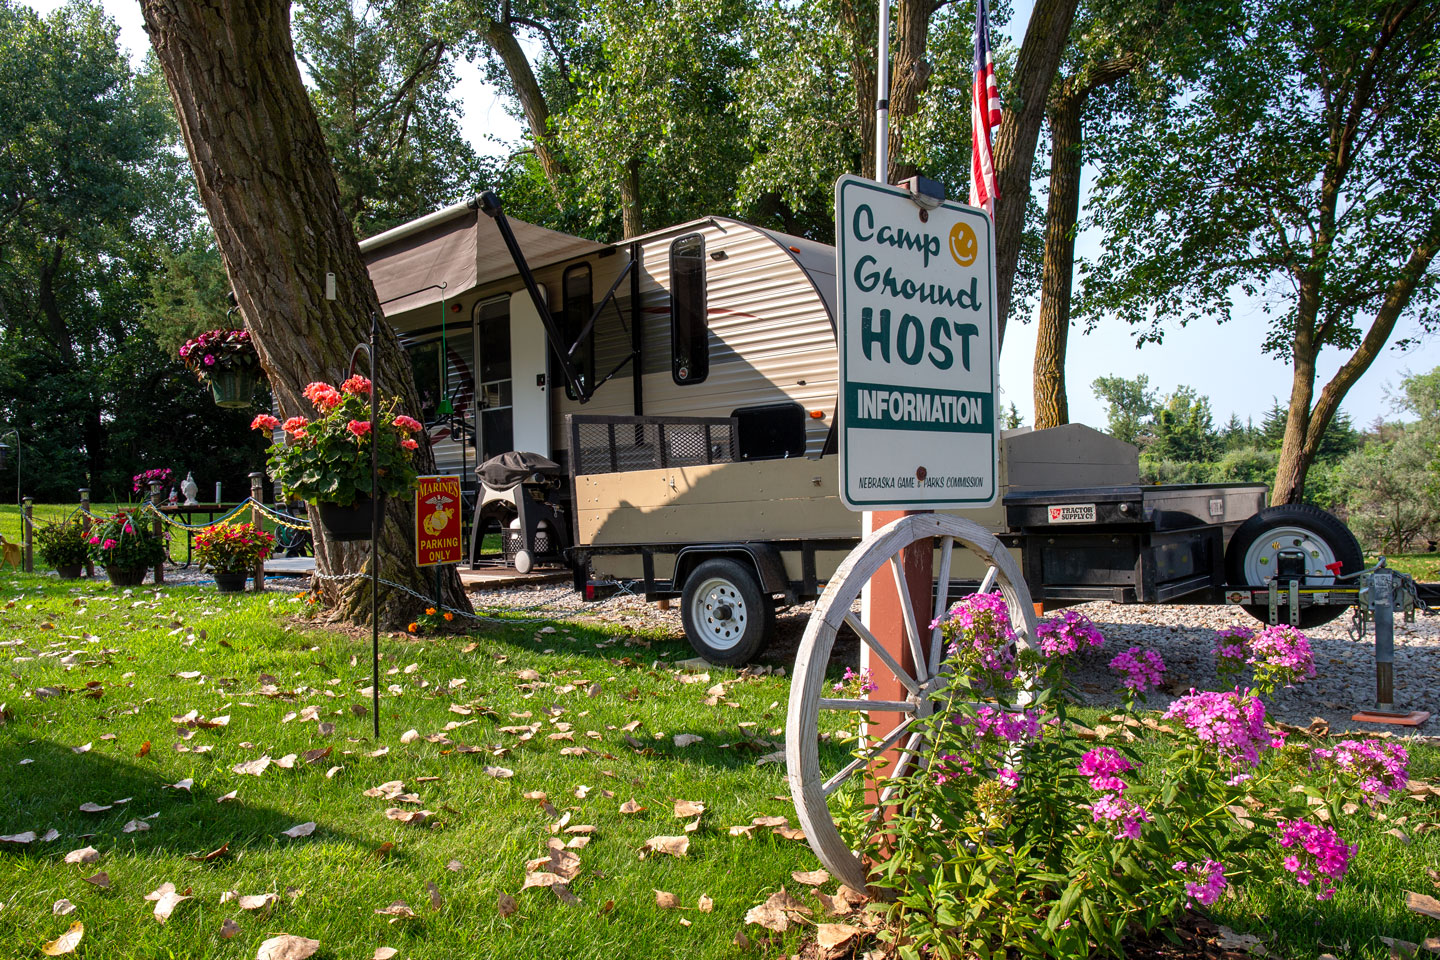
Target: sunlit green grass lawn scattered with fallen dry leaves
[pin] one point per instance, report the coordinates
(155, 658)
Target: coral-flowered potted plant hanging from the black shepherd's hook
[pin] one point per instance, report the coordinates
(328, 460)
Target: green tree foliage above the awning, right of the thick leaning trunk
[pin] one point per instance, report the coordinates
(384, 86)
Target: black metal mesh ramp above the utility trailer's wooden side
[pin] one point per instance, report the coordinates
(626, 444)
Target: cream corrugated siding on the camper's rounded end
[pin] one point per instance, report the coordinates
(770, 332)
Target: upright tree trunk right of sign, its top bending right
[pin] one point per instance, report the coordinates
(1062, 218)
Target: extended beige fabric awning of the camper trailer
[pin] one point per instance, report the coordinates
(459, 248)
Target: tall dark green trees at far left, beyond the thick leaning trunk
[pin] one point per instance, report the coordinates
(91, 194)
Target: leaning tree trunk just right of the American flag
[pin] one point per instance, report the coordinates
(1025, 112)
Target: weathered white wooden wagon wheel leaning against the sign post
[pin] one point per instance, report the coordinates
(814, 789)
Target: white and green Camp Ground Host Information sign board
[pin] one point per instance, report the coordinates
(918, 352)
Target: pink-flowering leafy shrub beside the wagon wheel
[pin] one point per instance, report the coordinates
(1019, 836)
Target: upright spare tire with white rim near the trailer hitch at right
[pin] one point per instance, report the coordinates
(1252, 555)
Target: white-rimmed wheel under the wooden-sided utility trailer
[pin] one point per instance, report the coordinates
(726, 615)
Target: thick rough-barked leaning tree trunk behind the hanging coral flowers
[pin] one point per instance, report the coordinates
(269, 188)
